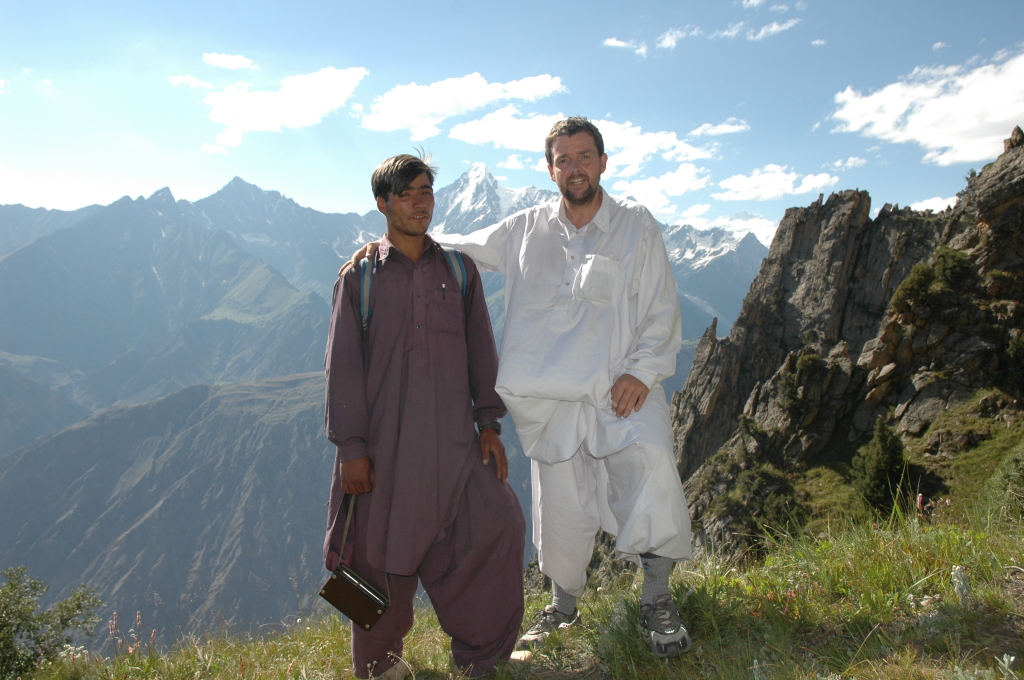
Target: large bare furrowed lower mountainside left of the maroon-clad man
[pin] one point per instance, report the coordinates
(200, 508)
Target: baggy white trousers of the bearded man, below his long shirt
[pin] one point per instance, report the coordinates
(634, 494)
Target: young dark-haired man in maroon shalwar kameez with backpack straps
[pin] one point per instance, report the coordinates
(432, 500)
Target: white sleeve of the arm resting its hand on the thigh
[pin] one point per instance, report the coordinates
(659, 335)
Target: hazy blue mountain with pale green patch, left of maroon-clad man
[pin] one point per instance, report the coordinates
(144, 303)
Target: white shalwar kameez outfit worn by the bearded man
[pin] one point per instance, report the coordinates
(582, 308)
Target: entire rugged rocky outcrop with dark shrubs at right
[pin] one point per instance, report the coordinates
(851, 319)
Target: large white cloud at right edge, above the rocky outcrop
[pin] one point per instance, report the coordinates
(958, 115)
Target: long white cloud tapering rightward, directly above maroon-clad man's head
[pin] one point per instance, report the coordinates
(420, 109)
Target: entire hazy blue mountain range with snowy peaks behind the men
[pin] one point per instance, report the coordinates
(161, 390)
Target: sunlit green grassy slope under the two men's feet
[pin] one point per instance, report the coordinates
(858, 598)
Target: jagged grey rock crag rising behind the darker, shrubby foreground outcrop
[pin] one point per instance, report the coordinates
(829, 277)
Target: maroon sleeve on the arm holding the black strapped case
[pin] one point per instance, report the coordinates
(346, 416)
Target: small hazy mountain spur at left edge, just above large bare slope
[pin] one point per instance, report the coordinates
(29, 411)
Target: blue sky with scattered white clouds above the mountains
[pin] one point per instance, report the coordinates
(716, 114)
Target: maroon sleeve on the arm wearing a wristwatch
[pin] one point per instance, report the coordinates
(488, 407)
